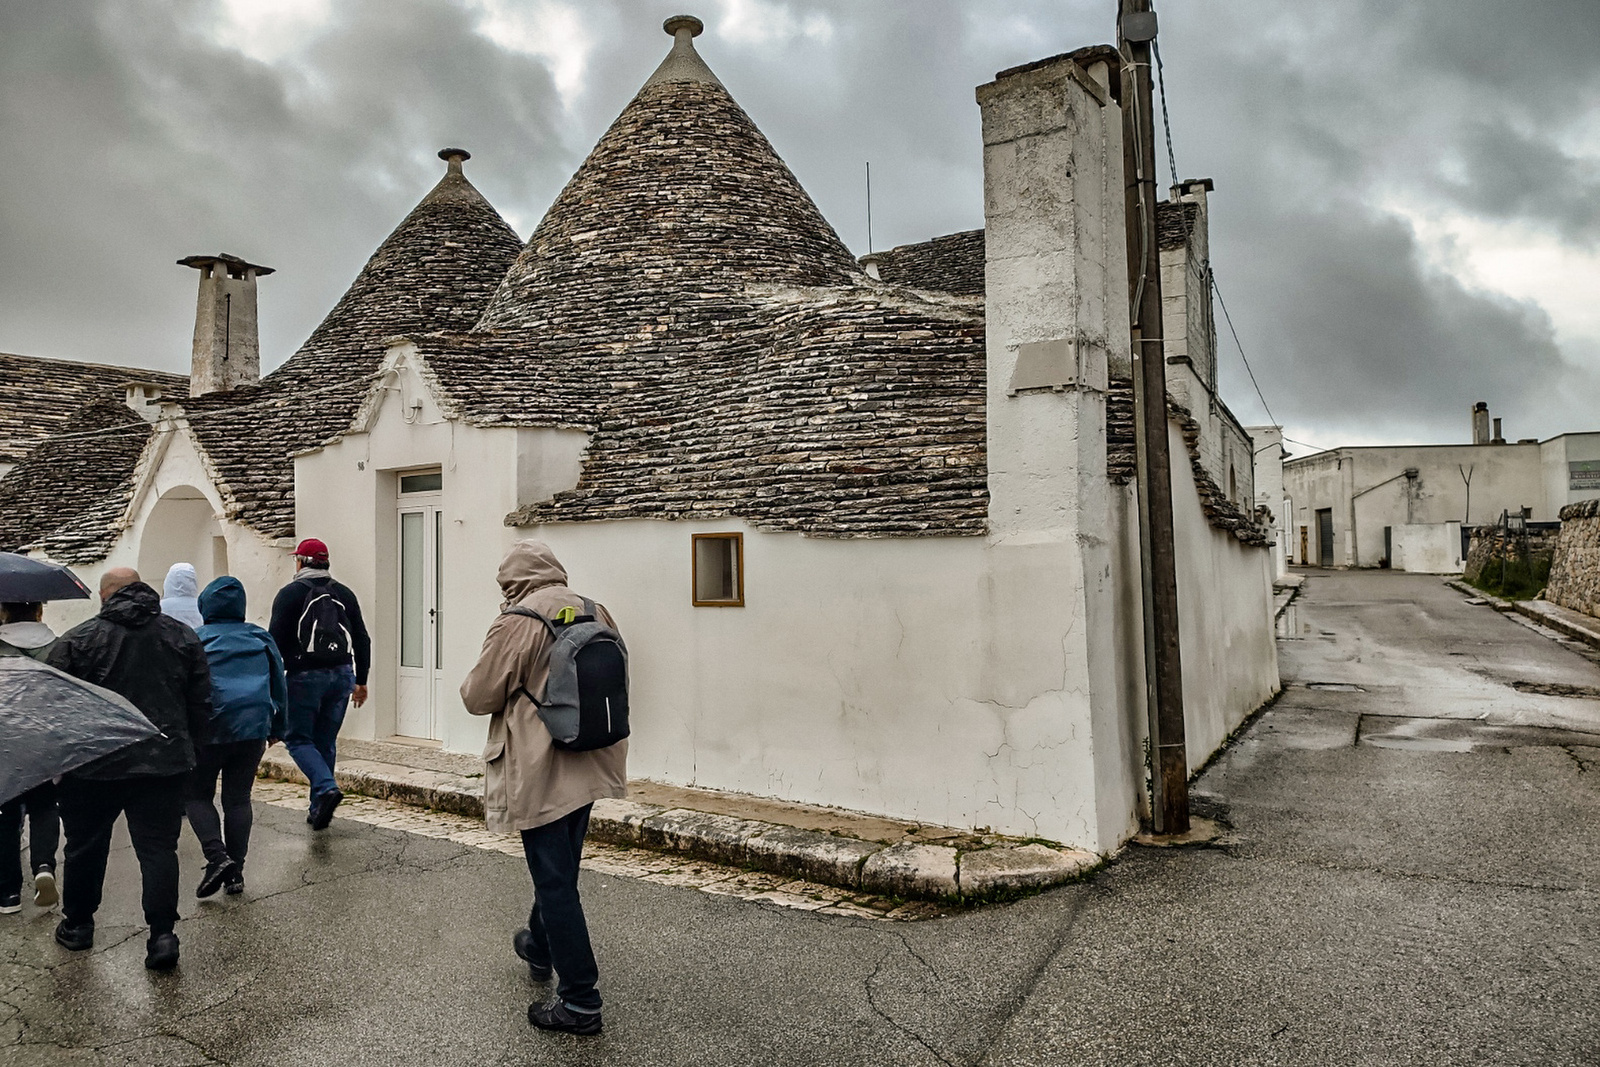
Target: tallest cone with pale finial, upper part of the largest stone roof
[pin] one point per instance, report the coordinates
(682, 193)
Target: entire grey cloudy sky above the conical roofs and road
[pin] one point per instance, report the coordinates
(1407, 210)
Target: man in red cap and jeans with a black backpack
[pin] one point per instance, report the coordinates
(327, 653)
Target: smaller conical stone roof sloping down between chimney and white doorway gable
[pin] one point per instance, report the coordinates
(436, 271)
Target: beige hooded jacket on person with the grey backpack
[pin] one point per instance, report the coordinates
(529, 781)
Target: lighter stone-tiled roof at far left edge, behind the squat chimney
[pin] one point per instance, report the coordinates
(41, 398)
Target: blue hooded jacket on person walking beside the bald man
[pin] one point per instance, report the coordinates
(249, 693)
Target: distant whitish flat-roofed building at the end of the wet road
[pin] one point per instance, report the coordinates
(1390, 505)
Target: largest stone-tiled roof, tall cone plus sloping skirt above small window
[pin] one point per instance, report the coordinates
(687, 303)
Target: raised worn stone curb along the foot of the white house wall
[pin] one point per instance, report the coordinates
(910, 869)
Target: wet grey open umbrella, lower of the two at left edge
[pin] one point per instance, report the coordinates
(52, 724)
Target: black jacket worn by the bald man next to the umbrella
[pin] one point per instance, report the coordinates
(153, 660)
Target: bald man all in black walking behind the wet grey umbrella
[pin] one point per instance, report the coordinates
(159, 665)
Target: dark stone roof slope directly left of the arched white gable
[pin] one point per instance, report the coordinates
(70, 494)
